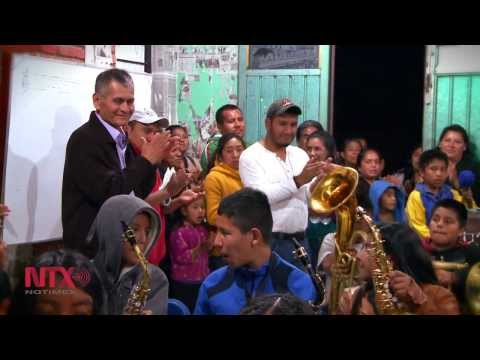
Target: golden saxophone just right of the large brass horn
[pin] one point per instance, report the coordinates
(386, 303)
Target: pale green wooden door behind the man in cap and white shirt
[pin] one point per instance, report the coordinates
(259, 86)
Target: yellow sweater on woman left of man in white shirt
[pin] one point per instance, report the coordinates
(220, 182)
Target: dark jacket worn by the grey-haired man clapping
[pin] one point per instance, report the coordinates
(92, 174)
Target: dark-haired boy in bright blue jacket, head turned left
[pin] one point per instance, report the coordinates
(244, 226)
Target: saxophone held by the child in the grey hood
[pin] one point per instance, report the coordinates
(138, 297)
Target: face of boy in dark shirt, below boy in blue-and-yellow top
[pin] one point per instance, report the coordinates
(445, 227)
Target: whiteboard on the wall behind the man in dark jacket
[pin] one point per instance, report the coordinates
(48, 100)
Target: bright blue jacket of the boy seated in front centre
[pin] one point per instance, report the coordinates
(226, 290)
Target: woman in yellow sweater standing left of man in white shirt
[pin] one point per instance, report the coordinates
(222, 180)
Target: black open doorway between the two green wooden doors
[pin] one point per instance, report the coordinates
(378, 95)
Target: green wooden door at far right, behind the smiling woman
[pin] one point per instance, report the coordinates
(452, 92)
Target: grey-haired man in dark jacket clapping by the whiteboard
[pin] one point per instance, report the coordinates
(98, 162)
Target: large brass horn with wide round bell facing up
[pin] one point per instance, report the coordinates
(336, 192)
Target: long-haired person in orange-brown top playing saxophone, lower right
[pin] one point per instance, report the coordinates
(413, 281)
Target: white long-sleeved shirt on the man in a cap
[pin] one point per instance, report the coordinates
(264, 170)
